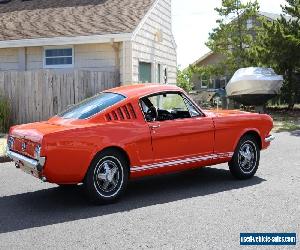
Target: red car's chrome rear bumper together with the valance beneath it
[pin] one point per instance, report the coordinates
(27, 164)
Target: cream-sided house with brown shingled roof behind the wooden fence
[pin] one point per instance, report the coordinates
(131, 37)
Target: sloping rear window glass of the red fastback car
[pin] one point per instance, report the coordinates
(92, 106)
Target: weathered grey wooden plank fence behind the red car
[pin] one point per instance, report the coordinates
(38, 95)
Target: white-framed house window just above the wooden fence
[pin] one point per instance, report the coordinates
(59, 57)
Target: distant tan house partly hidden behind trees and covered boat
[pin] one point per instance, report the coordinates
(210, 58)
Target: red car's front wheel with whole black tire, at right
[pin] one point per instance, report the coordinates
(245, 160)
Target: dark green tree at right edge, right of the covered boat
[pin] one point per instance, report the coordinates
(279, 47)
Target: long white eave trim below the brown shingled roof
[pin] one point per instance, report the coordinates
(57, 41)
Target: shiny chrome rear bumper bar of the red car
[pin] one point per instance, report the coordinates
(36, 165)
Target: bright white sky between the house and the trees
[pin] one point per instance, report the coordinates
(194, 19)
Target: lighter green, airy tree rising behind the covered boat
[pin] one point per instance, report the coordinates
(234, 35)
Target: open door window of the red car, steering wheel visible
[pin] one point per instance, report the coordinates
(165, 106)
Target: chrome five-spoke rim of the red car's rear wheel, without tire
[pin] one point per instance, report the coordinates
(108, 176)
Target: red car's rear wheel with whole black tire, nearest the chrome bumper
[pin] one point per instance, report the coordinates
(107, 177)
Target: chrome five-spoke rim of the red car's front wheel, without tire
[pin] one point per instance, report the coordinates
(247, 156)
